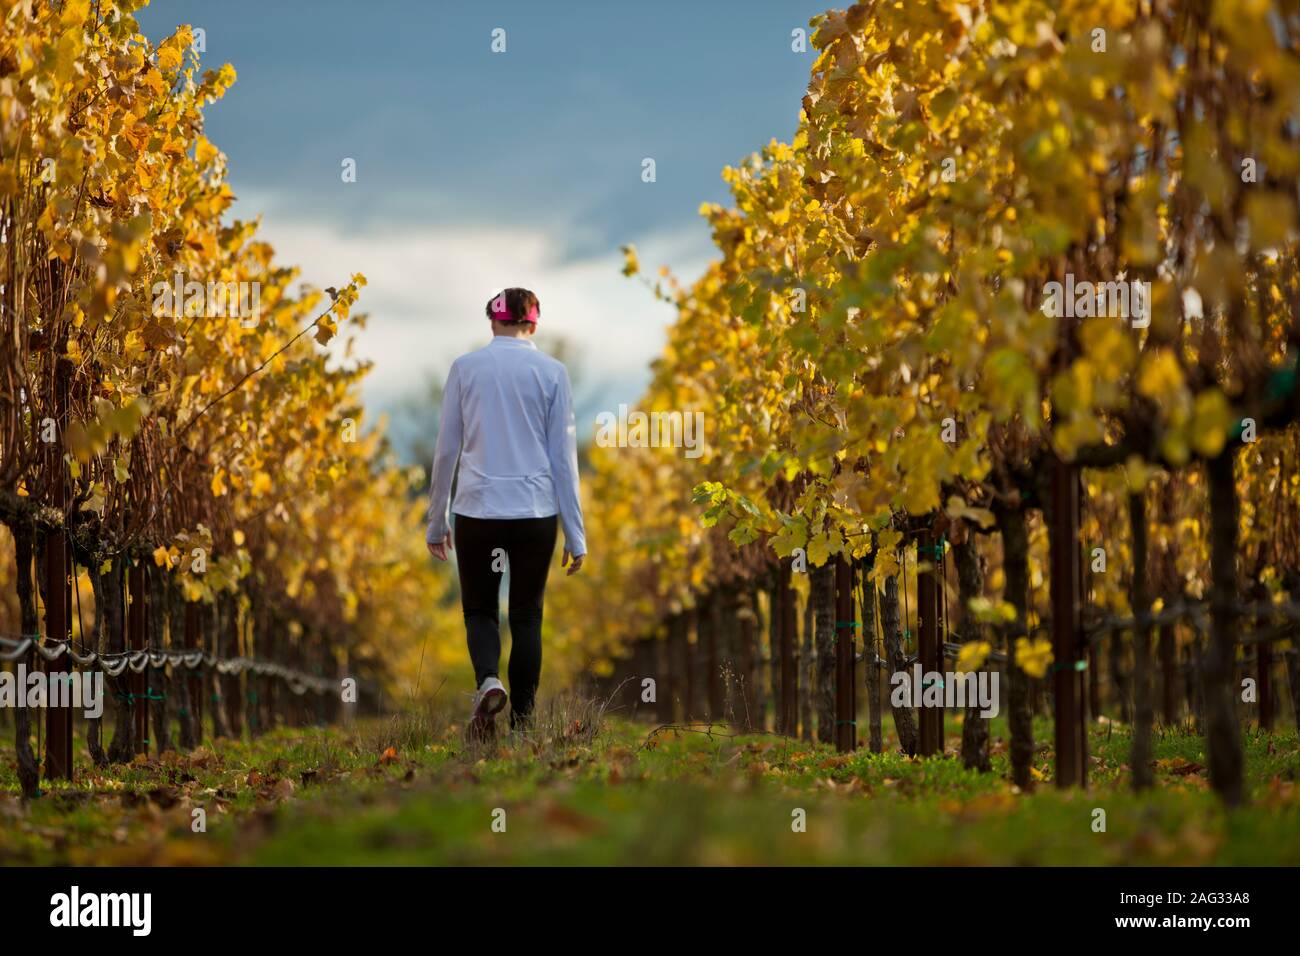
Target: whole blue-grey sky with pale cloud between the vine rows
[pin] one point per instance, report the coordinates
(476, 171)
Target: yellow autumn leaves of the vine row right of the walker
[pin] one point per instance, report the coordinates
(872, 347)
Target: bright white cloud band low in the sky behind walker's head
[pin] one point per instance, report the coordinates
(427, 288)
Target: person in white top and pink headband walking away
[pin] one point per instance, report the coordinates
(508, 417)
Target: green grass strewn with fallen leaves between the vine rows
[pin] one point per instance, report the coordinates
(591, 790)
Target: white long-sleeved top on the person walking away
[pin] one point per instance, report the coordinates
(508, 416)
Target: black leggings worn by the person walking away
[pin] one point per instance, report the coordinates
(528, 546)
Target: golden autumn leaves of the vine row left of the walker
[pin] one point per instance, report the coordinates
(153, 419)
